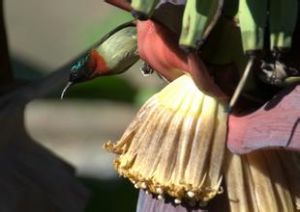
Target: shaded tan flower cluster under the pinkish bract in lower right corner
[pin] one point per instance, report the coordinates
(266, 180)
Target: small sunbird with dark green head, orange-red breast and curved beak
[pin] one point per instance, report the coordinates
(115, 53)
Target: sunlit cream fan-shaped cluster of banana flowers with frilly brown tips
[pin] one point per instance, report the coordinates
(176, 143)
